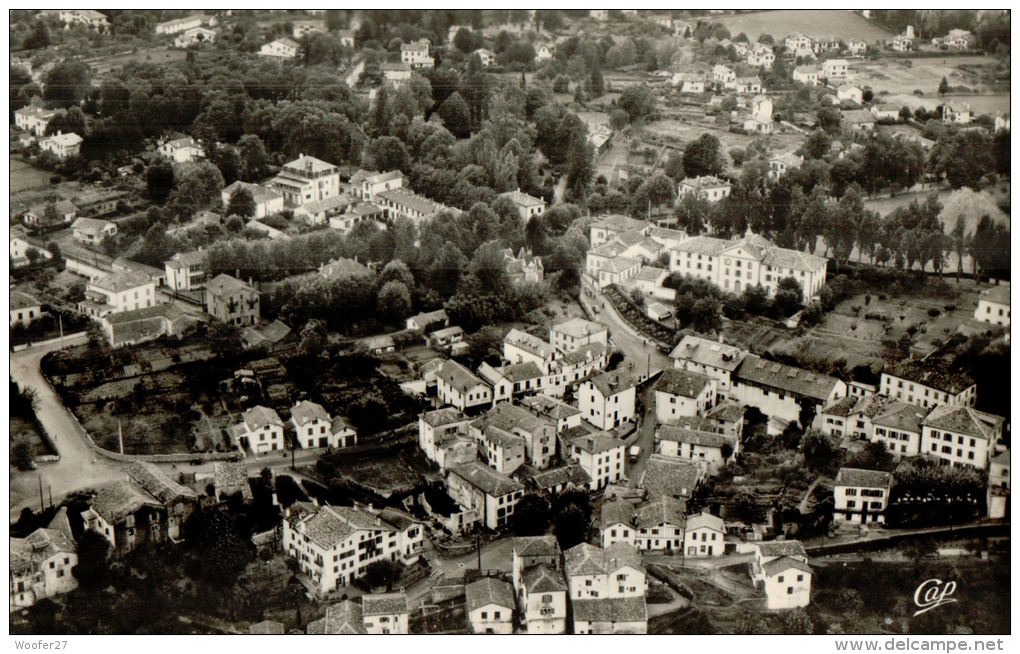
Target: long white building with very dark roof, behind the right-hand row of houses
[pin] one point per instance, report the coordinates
(929, 384)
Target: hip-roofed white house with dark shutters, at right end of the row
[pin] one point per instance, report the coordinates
(961, 436)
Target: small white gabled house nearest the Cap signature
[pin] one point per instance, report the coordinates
(781, 568)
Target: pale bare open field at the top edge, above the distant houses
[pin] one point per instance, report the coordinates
(819, 24)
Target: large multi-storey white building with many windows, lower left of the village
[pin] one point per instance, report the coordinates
(334, 545)
